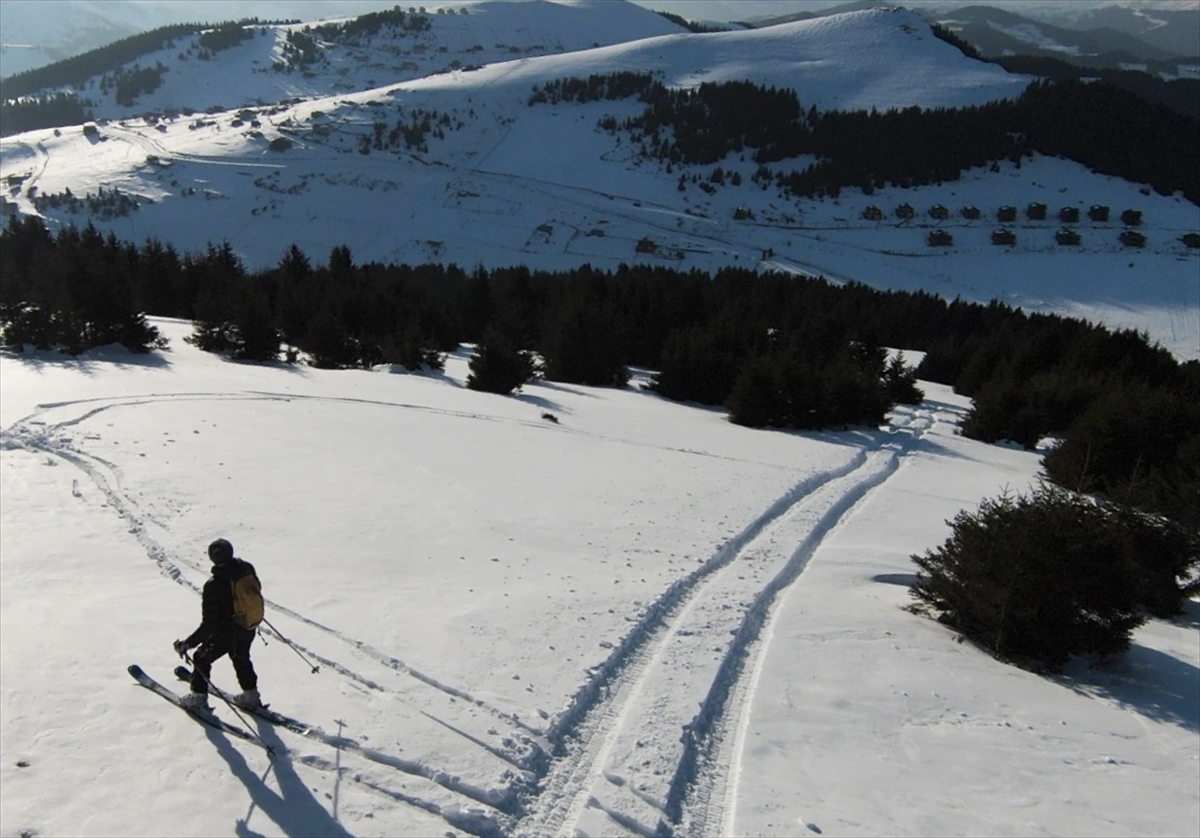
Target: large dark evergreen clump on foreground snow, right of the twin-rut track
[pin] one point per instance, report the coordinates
(1036, 579)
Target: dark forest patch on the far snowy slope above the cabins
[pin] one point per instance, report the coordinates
(1111, 130)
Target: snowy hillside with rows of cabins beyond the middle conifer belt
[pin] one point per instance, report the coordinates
(497, 182)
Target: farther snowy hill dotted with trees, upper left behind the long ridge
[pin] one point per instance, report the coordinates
(466, 34)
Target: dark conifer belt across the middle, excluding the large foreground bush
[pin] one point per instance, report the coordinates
(776, 350)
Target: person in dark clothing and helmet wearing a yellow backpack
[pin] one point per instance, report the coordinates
(224, 628)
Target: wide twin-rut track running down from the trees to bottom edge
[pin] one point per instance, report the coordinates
(637, 695)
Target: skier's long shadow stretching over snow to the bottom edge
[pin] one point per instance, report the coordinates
(293, 809)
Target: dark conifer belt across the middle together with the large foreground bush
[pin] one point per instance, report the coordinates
(776, 351)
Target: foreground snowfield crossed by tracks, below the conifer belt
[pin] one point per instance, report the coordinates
(484, 588)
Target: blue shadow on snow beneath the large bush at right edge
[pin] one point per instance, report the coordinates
(1147, 681)
